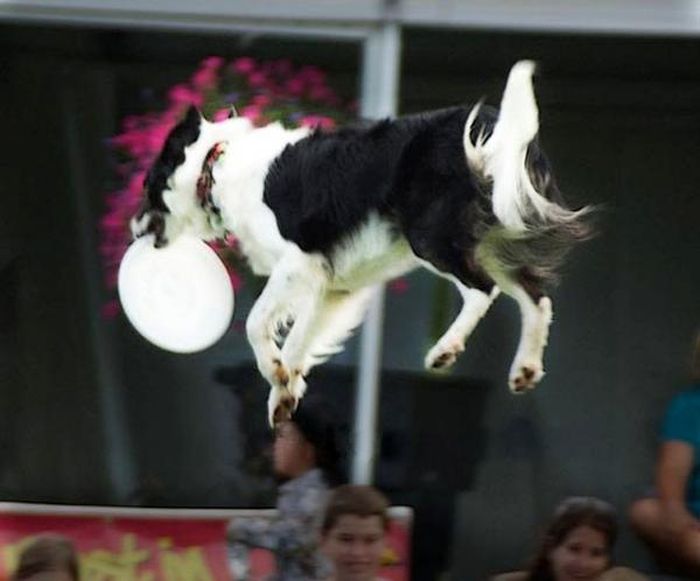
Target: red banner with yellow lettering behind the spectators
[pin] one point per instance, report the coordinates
(161, 545)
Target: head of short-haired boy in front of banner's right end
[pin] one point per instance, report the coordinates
(353, 531)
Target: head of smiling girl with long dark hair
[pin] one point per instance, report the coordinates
(578, 542)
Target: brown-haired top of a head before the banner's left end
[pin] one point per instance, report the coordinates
(48, 557)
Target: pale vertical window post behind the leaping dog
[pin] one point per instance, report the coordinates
(380, 86)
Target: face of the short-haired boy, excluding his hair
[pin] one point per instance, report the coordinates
(354, 545)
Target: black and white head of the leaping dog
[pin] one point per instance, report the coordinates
(172, 203)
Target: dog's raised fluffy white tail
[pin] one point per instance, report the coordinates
(500, 158)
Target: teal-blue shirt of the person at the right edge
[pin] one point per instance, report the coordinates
(682, 424)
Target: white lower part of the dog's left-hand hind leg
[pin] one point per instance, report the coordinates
(475, 305)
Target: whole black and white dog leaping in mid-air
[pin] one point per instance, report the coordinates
(465, 192)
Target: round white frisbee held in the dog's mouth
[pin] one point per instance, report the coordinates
(178, 297)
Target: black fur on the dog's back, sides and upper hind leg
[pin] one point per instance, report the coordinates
(411, 171)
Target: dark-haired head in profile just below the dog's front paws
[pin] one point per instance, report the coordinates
(306, 441)
